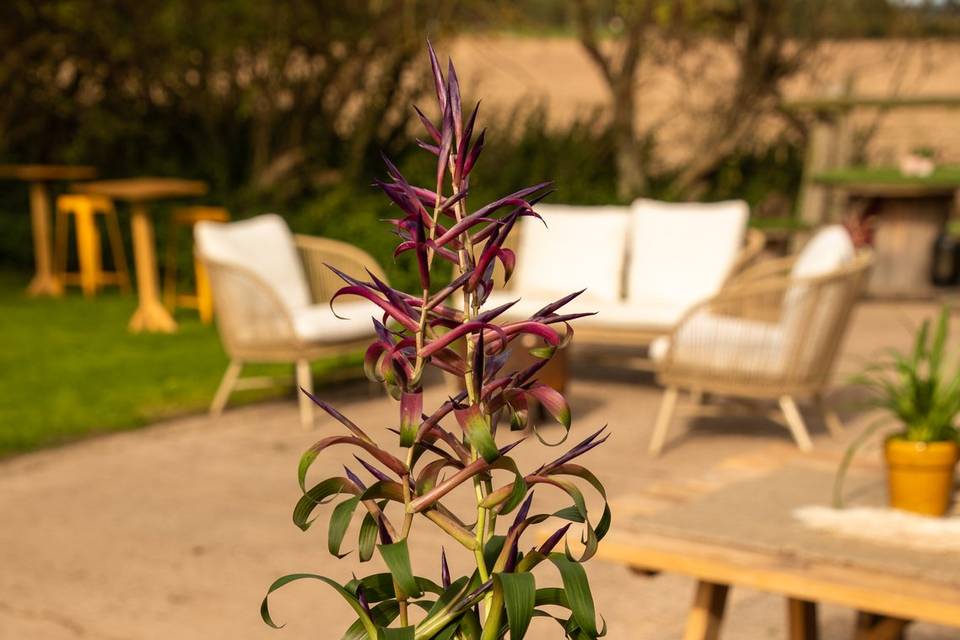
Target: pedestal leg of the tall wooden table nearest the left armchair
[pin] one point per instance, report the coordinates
(150, 315)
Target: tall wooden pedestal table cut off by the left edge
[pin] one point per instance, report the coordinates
(38, 176)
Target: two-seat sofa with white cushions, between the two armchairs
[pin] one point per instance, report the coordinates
(643, 266)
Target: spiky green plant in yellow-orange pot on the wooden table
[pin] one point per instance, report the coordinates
(920, 393)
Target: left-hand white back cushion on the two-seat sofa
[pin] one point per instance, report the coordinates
(581, 247)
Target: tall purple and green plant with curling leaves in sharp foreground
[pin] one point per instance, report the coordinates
(416, 331)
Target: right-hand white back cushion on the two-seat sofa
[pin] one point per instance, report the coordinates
(683, 252)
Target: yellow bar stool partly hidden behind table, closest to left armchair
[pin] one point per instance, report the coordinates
(201, 300)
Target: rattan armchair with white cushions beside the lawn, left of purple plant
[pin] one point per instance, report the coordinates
(271, 291)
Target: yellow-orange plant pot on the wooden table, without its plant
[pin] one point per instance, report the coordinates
(920, 475)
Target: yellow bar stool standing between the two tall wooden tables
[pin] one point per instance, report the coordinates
(84, 209)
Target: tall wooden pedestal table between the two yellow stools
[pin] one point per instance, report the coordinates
(150, 315)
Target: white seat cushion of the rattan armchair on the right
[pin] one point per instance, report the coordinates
(725, 344)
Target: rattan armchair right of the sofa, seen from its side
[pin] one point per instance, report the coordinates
(770, 334)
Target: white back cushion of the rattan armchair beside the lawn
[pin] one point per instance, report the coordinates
(263, 245)
